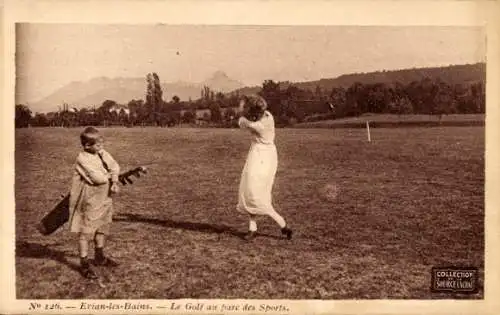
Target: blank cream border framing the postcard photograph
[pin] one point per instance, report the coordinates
(453, 13)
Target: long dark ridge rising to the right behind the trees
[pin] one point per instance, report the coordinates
(454, 74)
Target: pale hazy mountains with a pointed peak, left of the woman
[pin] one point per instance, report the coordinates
(122, 90)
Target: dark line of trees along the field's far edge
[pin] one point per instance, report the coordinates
(288, 103)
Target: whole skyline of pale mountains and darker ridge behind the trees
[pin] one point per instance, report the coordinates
(122, 90)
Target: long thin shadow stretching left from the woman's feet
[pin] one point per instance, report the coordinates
(190, 226)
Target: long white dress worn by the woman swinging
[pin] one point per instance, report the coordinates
(260, 167)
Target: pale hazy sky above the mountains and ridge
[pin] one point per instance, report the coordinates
(49, 56)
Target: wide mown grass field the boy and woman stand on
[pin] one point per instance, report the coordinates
(409, 200)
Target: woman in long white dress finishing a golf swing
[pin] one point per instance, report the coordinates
(258, 174)
